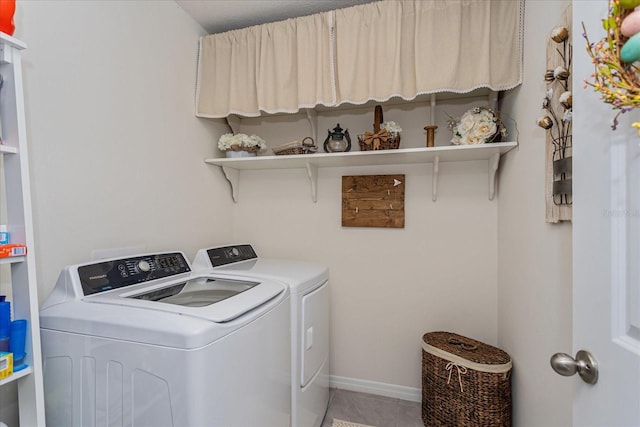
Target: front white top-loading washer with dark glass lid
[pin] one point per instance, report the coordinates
(144, 341)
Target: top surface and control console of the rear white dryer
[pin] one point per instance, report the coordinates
(300, 276)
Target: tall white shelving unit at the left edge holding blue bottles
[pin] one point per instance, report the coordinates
(24, 298)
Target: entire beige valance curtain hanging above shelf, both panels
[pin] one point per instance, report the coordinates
(375, 51)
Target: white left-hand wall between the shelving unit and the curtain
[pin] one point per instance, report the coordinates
(116, 151)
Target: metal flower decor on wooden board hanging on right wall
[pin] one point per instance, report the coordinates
(556, 120)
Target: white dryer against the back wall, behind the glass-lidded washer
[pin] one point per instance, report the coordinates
(309, 288)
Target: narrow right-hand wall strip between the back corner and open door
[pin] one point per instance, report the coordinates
(534, 268)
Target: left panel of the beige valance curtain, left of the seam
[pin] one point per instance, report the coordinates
(274, 68)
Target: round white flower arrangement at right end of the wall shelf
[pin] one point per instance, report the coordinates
(477, 126)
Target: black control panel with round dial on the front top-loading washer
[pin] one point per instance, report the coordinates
(107, 275)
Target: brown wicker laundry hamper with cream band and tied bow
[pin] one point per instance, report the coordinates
(464, 382)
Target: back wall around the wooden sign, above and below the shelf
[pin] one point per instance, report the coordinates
(388, 286)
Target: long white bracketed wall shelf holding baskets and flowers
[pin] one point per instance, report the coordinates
(311, 162)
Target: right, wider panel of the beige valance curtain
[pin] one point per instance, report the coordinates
(407, 48)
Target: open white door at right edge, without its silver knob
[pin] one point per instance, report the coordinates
(606, 242)
